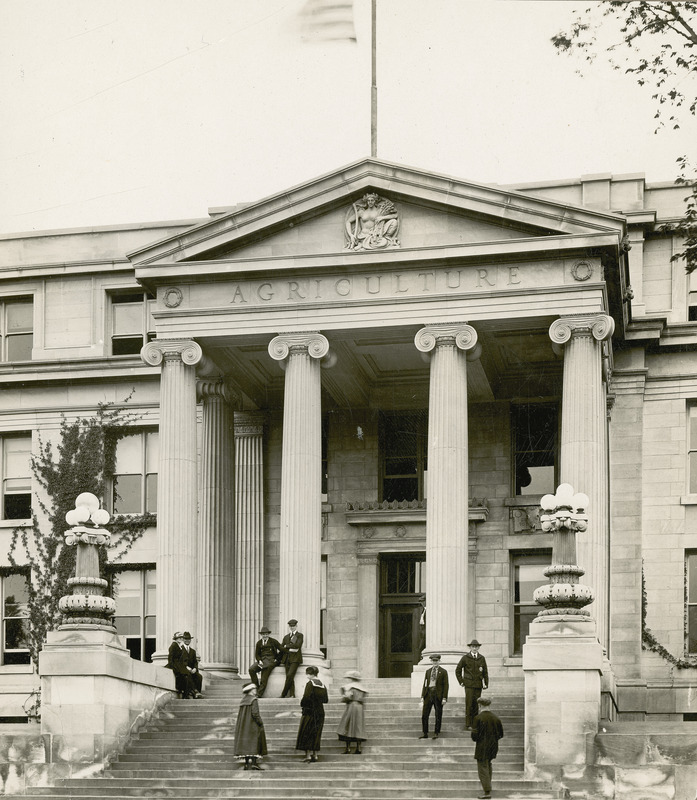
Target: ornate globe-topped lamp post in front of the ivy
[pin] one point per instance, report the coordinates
(87, 605)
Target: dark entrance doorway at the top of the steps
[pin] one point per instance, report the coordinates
(402, 584)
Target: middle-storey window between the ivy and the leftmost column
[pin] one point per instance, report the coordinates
(135, 477)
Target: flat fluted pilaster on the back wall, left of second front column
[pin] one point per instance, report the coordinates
(249, 539)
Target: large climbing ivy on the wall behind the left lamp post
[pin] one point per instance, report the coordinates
(82, 459)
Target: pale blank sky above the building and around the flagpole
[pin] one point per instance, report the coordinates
(122, 111)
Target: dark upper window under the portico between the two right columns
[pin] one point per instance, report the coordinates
(535, 448)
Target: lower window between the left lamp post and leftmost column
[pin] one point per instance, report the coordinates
(134, 593)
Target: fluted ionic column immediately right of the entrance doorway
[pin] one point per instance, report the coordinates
(447, 515)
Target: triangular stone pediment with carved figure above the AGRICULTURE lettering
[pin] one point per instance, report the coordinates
(319, 217)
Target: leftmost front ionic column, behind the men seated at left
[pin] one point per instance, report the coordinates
(176, 594)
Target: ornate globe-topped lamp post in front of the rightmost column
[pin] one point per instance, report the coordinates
(564, 515)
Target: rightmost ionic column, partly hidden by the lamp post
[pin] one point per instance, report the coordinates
(584, 444)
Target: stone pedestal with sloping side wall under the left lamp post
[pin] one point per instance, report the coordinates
(94, 696)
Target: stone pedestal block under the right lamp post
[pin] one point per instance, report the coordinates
(562, 663)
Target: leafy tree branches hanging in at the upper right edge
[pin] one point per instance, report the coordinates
(656, 42)
